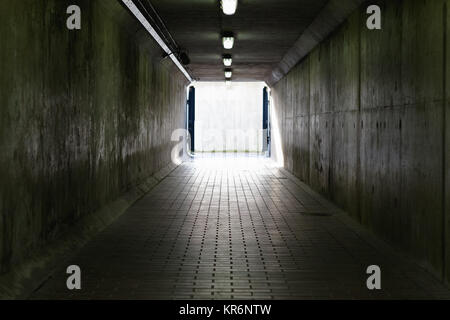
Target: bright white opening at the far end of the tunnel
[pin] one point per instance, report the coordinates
(229, 117)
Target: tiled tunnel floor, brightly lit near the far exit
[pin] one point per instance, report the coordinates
(235, 229)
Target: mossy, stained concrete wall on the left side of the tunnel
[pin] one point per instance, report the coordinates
(84, 116)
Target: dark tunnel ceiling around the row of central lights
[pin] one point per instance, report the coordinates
(265, 30)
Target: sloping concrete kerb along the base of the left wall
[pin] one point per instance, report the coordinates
(25, 278)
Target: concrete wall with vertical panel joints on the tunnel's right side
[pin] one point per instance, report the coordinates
(365, 122)
